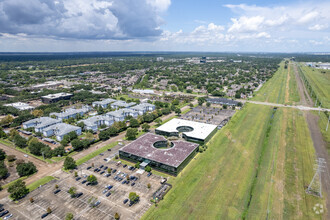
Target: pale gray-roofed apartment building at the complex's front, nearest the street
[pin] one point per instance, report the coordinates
(60, 130)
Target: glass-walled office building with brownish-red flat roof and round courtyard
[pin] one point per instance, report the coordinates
(155, 151)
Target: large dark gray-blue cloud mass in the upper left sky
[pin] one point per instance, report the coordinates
(83, 19)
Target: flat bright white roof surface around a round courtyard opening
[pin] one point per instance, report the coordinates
(200, 130)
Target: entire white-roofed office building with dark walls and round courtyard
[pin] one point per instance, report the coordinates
(189, 130)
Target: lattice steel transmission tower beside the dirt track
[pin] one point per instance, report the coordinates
(315, 187)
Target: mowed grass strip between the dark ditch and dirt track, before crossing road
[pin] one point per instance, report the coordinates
(285, 171)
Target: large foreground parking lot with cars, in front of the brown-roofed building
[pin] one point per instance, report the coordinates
(111, 198)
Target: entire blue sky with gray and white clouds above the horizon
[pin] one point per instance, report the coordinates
(164, 25)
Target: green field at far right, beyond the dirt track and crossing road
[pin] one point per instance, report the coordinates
(320, 83)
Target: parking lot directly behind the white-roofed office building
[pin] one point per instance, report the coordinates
(210, 115)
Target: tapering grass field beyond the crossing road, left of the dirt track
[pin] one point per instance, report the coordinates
(281, 88)
